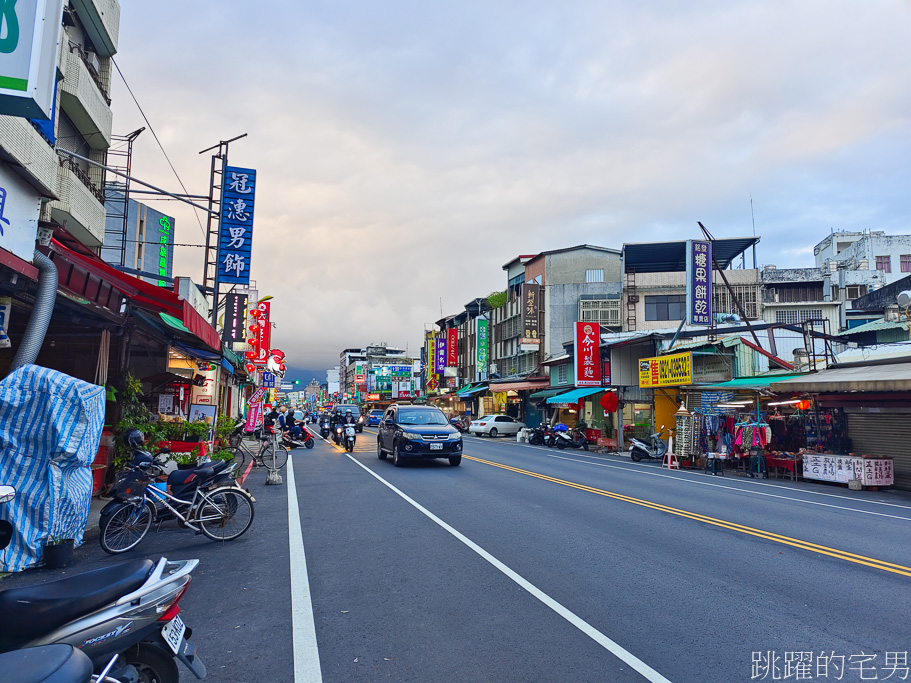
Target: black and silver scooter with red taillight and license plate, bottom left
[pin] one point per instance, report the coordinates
(129, 610)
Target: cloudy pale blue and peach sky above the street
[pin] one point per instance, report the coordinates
(406, 150)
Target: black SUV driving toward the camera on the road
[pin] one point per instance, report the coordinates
(409, 431)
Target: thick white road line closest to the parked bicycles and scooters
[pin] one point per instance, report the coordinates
(303, 628)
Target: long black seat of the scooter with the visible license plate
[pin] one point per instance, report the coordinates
(33, 611)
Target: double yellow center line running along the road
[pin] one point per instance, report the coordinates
(733, 526)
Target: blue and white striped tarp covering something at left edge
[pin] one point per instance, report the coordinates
(50, 425)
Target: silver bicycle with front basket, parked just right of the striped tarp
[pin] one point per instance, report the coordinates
(221, 512)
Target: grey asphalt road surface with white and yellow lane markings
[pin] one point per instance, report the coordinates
(529, 564)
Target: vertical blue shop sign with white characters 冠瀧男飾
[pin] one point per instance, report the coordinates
(236, 238)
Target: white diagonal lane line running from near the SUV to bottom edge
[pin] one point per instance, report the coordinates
(630, 659)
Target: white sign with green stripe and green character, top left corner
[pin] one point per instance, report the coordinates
(29, 38)
